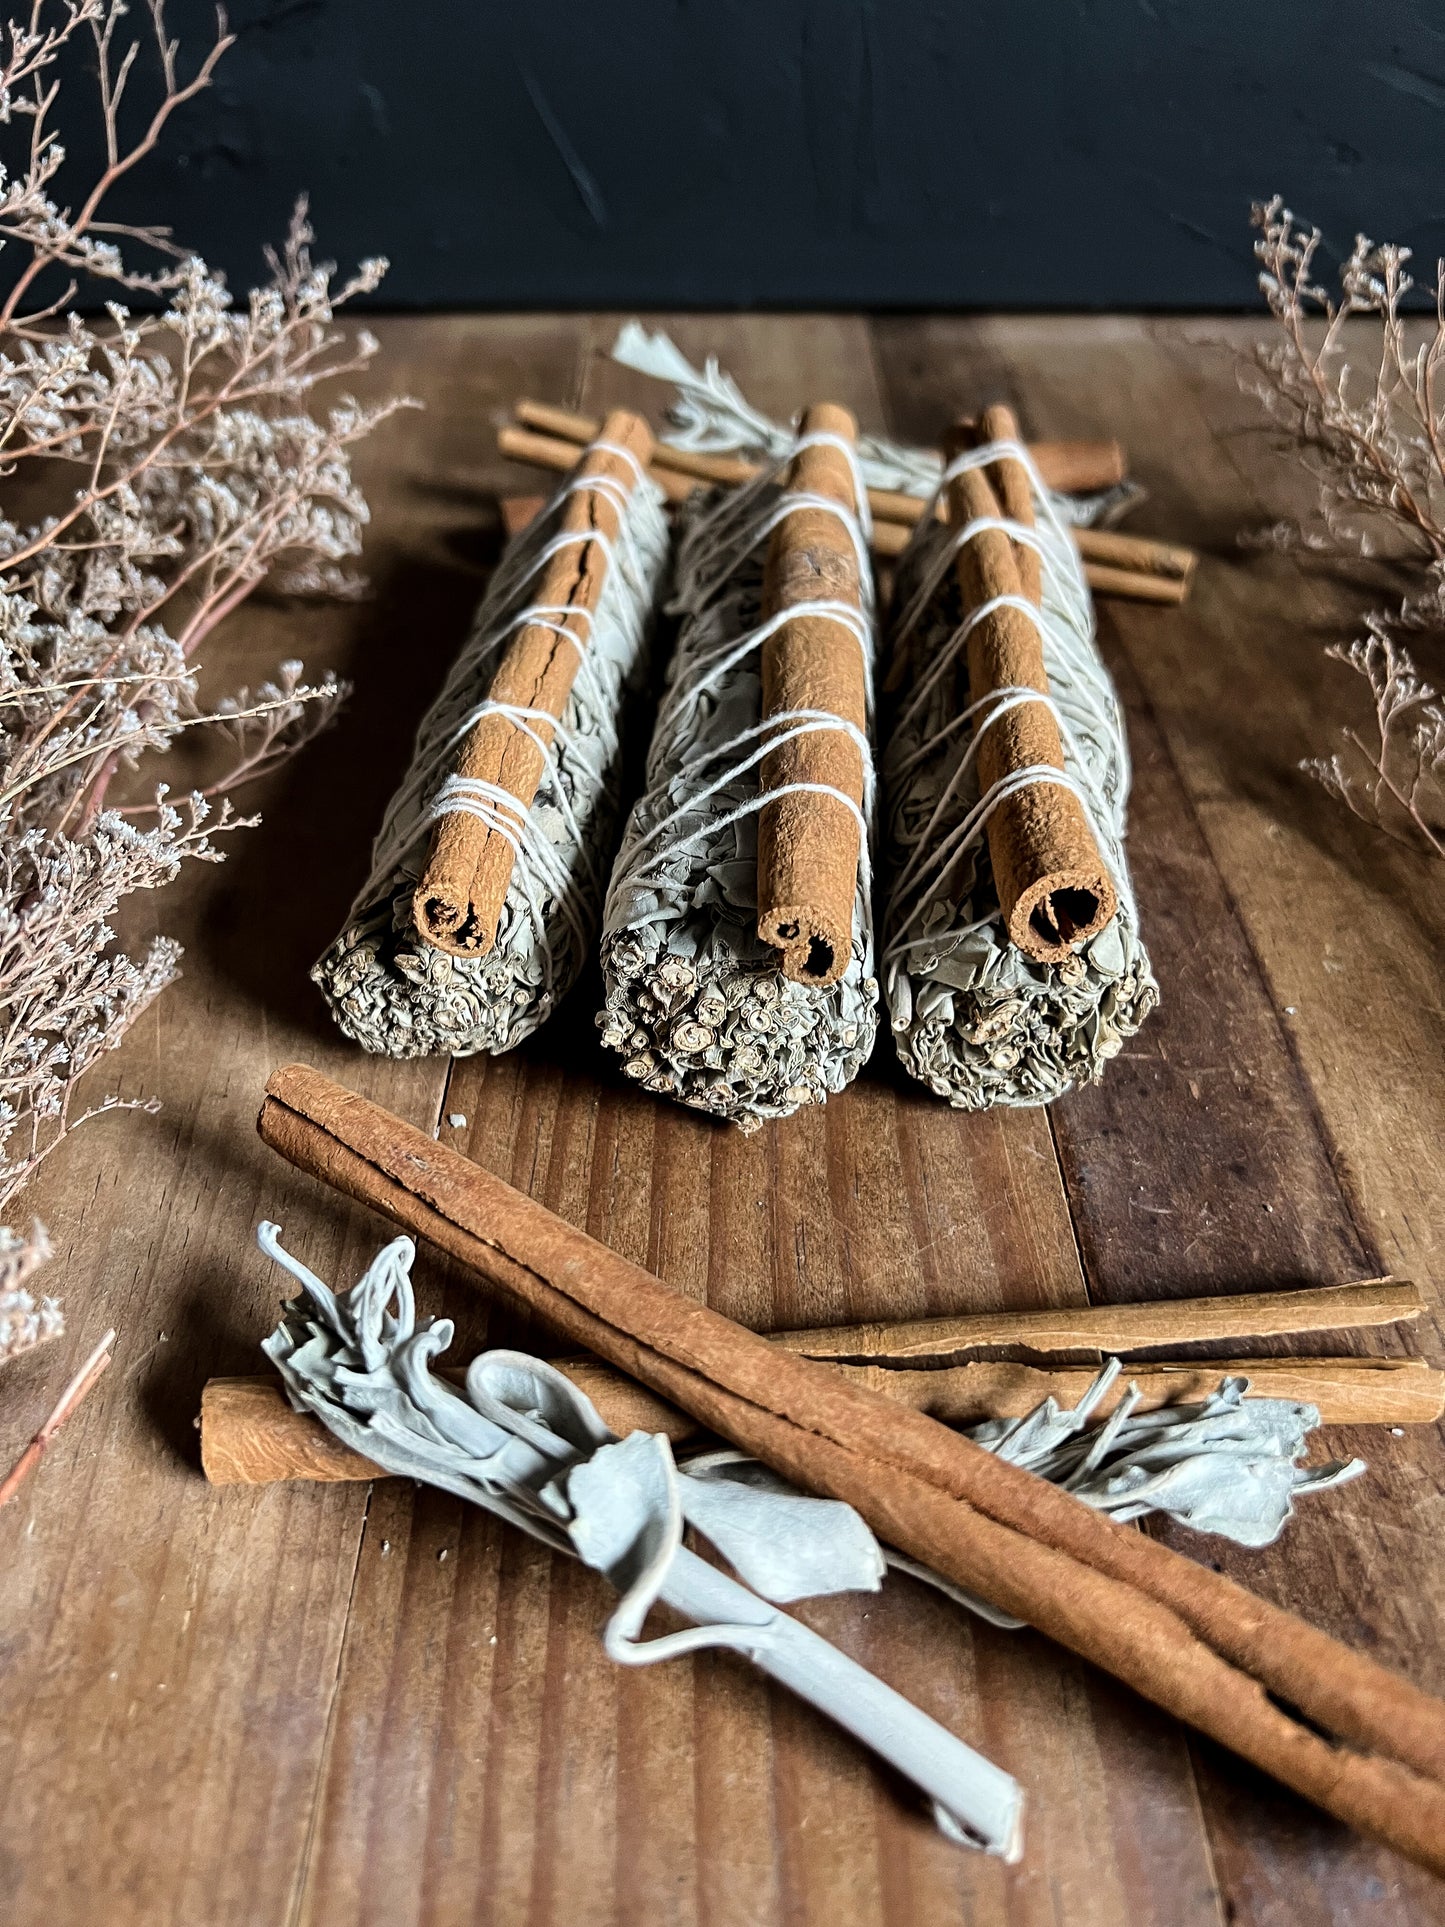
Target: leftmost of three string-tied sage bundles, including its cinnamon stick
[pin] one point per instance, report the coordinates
(486, 876)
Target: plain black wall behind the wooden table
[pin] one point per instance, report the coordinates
(804, 153)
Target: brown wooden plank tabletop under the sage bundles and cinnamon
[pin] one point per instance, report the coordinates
(346, 1704)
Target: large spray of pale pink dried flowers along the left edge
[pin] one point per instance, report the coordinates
(182, 462)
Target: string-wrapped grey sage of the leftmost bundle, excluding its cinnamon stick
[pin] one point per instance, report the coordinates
(396, 993)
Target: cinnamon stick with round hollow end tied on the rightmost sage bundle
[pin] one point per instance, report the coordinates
(1053, 884)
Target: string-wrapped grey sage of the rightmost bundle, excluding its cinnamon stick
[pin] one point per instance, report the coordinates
(974, 1018)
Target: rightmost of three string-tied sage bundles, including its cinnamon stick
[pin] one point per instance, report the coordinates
(1012, 959)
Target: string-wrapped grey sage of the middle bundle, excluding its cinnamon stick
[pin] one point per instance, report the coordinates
(696, 1003)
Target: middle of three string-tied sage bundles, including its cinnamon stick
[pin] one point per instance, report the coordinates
(739, 937)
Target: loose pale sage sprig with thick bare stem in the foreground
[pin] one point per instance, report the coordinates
(523, 1442)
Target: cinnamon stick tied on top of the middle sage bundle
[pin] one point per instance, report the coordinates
(808, 845)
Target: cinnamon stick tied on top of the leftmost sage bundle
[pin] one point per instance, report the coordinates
(471, 864)
